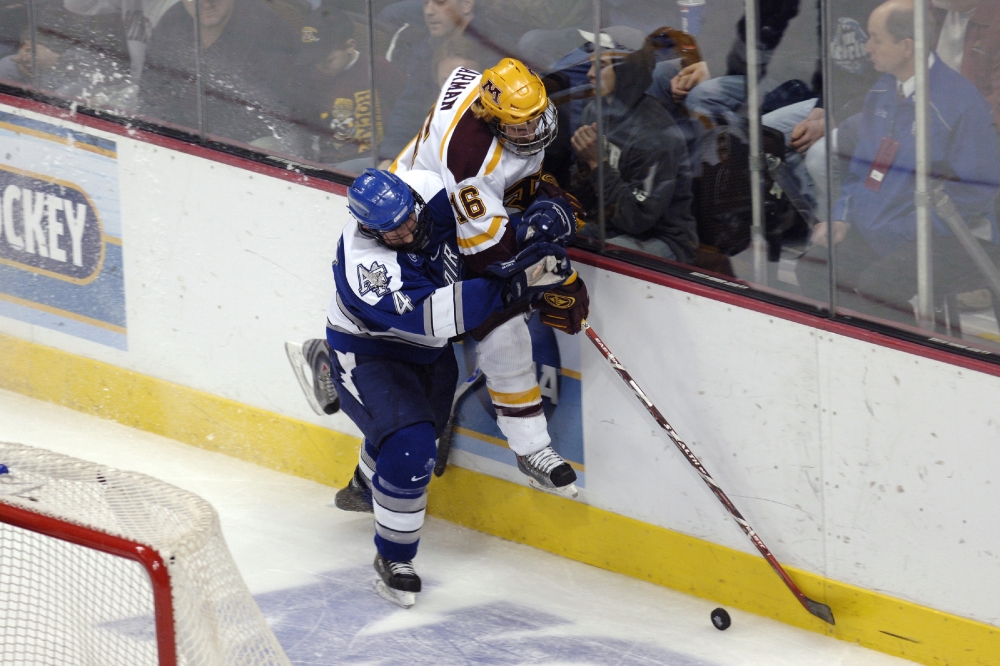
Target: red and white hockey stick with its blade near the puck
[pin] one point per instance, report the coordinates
(822, 611)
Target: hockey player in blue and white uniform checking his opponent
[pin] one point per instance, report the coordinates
(400, 301)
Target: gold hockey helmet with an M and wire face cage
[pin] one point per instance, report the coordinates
(521, 115)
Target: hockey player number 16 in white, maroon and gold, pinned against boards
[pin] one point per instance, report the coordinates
(486, 137)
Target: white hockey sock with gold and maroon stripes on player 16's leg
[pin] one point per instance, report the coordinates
(505, 359)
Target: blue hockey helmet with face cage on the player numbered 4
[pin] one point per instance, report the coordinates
(381, 203)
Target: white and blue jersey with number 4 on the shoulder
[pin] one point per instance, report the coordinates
(407, 305)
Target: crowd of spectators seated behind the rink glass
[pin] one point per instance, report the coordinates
(660, 162)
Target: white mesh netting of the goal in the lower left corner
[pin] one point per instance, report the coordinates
(62, 603)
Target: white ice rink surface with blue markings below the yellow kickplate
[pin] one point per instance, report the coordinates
(485, 600)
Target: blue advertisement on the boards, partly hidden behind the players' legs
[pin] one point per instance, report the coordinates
(557, 365)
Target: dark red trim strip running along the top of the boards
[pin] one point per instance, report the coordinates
(598, 261)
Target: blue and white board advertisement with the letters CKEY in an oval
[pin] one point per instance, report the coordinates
(60, 231)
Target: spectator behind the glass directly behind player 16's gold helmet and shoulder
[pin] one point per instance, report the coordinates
(444, 19)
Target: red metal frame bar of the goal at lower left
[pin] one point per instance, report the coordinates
(151, 561)
